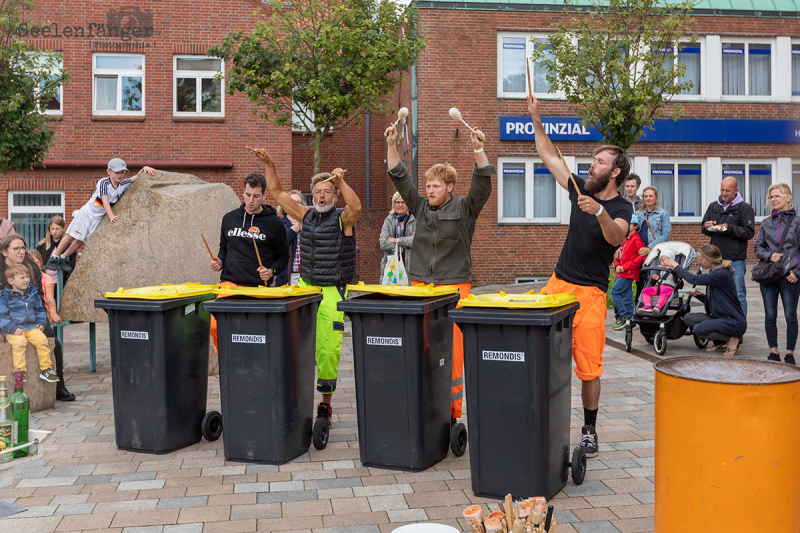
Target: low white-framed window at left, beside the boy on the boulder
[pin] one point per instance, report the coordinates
(30, 211)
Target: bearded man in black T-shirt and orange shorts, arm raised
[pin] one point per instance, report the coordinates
(598, 223)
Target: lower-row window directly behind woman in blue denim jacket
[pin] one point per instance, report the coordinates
(680, 187)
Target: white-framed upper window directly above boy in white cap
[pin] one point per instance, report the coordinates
(118, 84)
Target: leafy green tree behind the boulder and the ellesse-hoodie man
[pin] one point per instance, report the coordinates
(329, 62)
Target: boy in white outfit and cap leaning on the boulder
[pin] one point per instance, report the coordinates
(106, 194)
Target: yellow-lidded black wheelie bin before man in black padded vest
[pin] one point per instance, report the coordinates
(266, 340)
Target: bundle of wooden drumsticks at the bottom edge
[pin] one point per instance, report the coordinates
(527, 516)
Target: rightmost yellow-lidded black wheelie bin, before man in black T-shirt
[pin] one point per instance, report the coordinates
(517, 370)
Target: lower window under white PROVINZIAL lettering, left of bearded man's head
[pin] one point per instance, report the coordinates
(527, 192)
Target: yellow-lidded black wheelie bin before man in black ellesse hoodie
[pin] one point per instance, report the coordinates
(159, 365)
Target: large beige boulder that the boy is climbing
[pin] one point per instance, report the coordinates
(156, 240)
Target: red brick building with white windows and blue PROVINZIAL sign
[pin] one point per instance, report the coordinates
(742, 119)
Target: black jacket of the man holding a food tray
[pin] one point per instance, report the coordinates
(740, 219)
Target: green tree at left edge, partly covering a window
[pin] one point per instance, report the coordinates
(29, 79)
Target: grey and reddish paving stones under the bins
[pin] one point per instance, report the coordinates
(82, 482)
